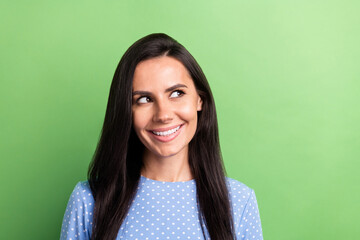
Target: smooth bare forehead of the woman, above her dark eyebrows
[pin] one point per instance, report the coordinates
(160, 72)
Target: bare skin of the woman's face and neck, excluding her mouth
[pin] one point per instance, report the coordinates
(164, 95)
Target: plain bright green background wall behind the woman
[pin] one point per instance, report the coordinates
(285, 77)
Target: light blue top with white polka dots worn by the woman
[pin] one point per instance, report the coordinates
(162, 210)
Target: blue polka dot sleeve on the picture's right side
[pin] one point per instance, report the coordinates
(250, 224)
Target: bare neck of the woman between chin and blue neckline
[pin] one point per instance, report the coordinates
(168, 169)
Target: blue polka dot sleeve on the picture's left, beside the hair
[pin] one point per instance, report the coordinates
(77, 221)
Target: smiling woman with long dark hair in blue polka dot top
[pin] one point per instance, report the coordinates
(157, 172)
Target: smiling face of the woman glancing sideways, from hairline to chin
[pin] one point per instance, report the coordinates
(165, 105)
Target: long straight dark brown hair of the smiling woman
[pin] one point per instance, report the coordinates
(114, 172)
